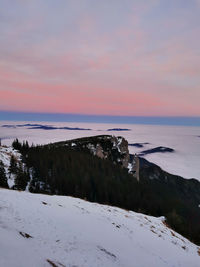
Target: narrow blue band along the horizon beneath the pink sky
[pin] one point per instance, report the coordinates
(94, 118)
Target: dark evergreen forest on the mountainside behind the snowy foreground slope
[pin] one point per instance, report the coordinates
(63, 170)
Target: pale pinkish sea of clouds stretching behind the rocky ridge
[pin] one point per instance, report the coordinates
(185, 141)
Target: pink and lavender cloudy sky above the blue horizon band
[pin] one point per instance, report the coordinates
(108, 57)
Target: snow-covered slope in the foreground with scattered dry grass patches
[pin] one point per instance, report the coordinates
(39, 230)
